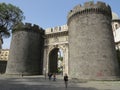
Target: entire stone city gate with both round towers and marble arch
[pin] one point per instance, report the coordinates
(91, 48)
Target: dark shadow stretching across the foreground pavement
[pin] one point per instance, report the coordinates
(36, 84)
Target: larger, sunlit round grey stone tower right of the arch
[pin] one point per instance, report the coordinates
(92, 52)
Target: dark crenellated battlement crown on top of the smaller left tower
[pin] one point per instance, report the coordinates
(28, 27)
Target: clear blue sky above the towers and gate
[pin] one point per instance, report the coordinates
(50, 13)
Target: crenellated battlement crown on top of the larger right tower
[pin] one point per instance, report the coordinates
(89, 7)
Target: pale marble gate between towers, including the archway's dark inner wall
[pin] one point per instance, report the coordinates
(56, 39)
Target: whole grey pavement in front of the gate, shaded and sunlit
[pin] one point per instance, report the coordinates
(40, 83)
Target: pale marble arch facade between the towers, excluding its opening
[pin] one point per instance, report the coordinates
(56, 37)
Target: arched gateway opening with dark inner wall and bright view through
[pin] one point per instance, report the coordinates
(56, 61)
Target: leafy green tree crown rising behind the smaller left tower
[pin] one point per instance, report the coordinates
(10, 15)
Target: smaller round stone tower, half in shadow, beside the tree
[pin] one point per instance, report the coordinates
(26, 51)
